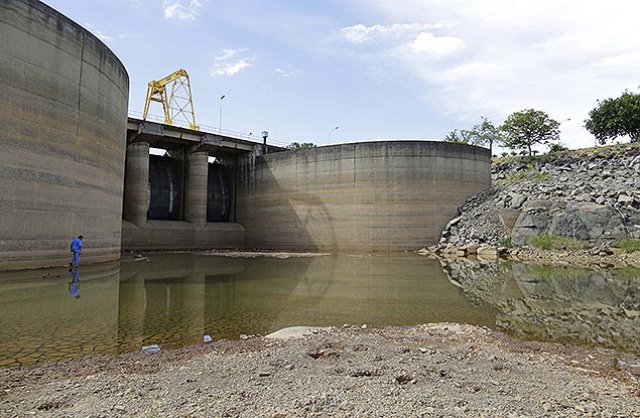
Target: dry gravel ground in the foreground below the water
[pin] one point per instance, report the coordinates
(439, 370)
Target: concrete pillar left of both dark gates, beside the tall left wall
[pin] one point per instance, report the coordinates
(136, 183)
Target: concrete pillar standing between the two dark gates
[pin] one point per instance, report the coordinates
(196, 186)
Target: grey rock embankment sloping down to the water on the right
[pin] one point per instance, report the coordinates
(590, 197)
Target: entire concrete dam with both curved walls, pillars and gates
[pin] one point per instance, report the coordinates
(71, 163)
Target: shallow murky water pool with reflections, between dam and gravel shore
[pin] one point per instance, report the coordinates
(177, 300)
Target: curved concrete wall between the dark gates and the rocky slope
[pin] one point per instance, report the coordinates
(377, 196)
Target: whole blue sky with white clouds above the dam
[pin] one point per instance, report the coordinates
(334, 71)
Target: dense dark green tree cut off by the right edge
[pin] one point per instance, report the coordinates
(613, 118)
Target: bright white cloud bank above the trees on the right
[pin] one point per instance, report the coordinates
(502, 56)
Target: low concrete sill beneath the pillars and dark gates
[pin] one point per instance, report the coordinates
(177, 235)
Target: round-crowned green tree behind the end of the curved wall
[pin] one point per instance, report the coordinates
(527, 128)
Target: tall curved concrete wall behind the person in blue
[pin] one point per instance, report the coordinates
(63, 116)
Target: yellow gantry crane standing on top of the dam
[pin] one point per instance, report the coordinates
(176, 100)
